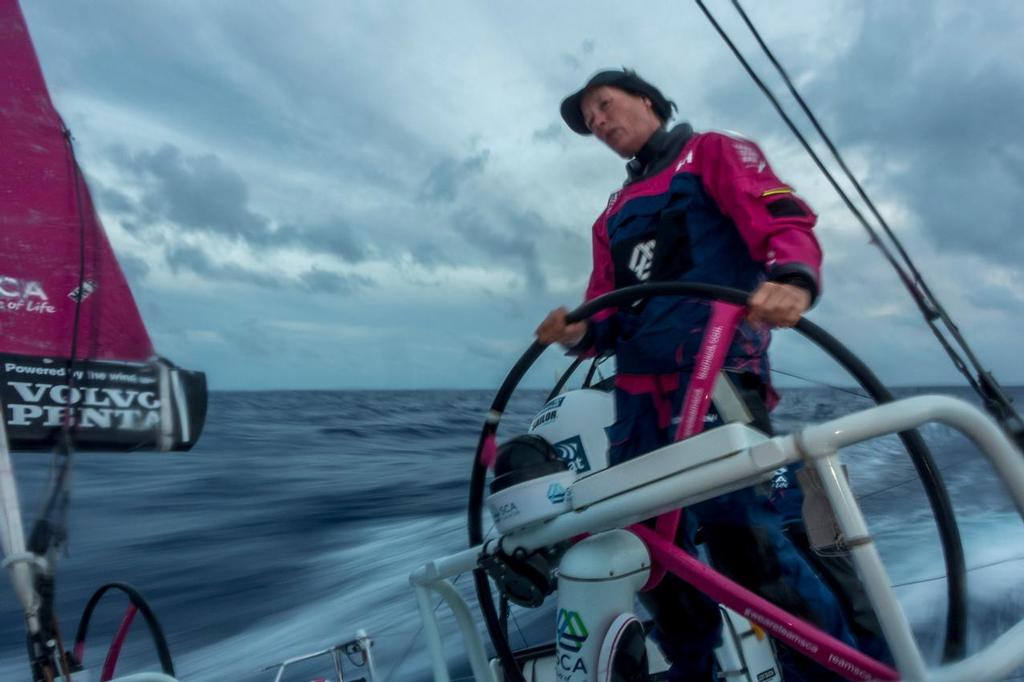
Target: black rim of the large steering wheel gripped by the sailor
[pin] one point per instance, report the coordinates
(931, 479)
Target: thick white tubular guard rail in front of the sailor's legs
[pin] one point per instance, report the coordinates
(630, 493)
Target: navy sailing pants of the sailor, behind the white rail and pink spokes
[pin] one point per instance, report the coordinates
(744, 536)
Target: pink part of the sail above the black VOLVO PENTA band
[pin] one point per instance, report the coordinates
(51, 237)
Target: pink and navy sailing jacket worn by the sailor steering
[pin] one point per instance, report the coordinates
(701, 208)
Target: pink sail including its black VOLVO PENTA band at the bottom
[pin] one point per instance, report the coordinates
(75, 357)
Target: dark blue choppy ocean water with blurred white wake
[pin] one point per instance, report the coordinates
(298, 518)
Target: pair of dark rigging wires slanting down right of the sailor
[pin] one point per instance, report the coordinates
(986, 385)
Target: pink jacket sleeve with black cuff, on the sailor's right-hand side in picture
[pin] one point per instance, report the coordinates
(775, 223)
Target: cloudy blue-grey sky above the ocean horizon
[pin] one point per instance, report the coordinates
(381, 195)
